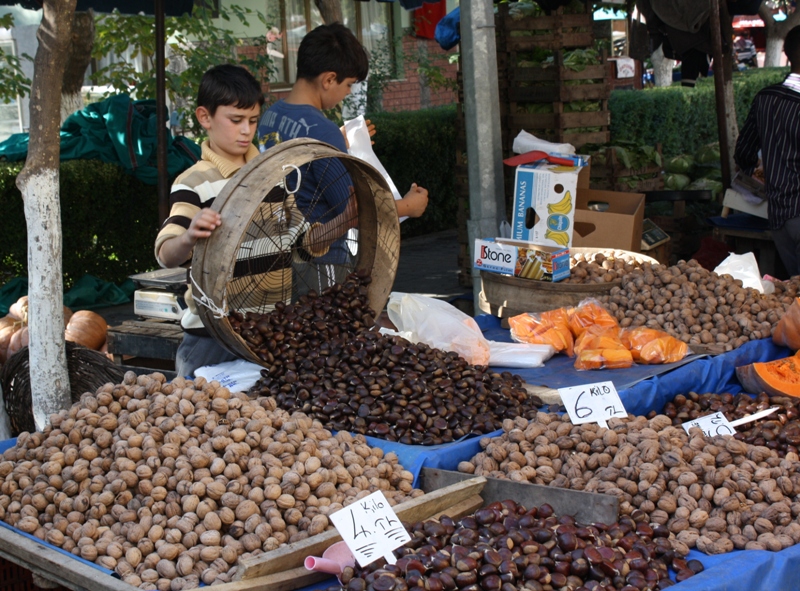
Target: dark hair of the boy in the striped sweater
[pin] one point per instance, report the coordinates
(229, 85)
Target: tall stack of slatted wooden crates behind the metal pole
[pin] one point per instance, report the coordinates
(543, 100)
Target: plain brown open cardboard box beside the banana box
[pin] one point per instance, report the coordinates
(608, 219)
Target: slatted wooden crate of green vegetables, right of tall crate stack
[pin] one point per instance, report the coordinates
(609, 173)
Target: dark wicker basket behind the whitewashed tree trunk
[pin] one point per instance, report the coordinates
(88, 370)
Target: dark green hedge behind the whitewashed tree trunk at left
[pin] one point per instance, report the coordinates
(109, 222)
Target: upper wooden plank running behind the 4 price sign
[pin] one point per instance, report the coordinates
(293, 555)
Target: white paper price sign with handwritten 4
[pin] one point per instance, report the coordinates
(371, 529)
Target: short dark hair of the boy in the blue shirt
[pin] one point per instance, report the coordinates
(332, 48)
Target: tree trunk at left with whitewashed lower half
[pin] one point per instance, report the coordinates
(39, 184)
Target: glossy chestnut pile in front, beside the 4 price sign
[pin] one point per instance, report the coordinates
(505, 547)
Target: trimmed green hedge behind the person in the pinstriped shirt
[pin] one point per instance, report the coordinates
(682, 119)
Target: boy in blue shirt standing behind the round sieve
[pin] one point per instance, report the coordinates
(330, 60)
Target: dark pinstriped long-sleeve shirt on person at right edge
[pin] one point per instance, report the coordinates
(773, 126)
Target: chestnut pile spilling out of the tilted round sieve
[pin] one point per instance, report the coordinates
(327, 360)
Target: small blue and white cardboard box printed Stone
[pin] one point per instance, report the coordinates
(522, 259)
